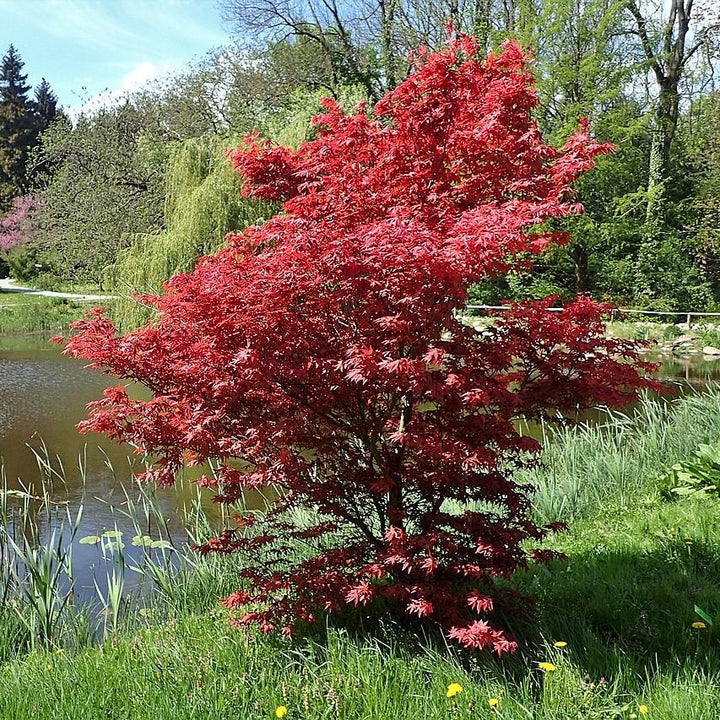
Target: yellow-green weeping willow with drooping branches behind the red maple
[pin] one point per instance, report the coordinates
(202, 205)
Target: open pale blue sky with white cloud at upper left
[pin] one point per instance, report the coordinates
(86, 47)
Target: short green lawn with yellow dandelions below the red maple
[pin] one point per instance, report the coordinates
(623, 604)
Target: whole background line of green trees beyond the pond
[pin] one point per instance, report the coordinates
(134, 184)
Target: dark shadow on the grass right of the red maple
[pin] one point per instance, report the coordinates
(619, 609)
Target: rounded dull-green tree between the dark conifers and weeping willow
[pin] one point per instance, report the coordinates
(106, 184)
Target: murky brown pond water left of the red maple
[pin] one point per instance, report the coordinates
(43, 395)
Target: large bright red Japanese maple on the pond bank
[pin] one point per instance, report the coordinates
(323, 350)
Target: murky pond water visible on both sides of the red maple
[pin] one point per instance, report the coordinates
(43, 396)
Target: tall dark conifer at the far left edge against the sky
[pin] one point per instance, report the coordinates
(18, 127)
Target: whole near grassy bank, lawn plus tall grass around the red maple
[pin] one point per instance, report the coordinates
(624, 604)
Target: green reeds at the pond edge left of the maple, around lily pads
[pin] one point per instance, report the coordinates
(143, 569)
